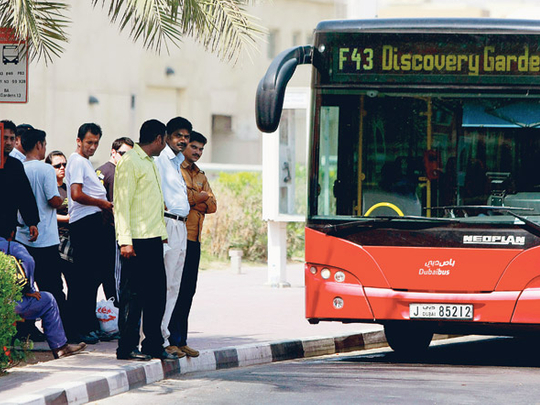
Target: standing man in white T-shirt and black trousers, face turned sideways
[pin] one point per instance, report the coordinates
(92, 240)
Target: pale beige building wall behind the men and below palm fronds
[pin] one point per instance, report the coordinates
(131, 84)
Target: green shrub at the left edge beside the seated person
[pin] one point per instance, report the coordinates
(10, 293)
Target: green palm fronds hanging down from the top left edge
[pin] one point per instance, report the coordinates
(222, 26)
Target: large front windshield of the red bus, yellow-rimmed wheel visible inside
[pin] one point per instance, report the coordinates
(390, 154)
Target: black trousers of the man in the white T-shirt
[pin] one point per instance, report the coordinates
(93, 256)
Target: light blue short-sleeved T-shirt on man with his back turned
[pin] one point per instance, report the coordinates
(43, 182)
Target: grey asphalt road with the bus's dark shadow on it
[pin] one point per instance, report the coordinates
(469, 371)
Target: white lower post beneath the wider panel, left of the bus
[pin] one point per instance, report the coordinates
(277, 254)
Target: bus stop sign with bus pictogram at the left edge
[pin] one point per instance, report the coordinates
(13, 68)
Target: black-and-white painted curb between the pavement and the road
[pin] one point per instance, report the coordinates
(137, 374)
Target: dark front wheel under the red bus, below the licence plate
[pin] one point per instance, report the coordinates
(408, 337)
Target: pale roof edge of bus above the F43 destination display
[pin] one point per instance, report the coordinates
(450, 25)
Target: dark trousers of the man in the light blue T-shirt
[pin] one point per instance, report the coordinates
(48, 275)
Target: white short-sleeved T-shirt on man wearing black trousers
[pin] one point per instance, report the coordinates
(79, 170)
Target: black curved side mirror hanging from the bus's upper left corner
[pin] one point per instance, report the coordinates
(271, 89)
